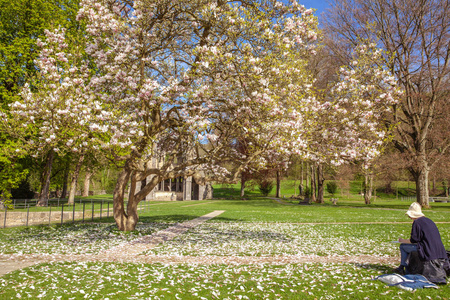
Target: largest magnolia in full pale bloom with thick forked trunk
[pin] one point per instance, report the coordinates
(174, 78)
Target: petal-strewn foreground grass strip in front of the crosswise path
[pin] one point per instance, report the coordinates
(156, 281)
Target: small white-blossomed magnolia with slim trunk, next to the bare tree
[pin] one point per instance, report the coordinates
(351, 126)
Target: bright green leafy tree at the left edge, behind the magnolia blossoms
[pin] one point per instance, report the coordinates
(22, 22)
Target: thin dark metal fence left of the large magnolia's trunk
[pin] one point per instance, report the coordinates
(24, 212)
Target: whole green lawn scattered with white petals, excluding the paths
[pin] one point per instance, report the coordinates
(256, 227)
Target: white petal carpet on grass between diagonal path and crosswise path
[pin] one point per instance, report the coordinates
(278, 239)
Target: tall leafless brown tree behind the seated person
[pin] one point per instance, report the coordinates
(416, 36)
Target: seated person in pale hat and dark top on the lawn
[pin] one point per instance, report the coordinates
(425, 239)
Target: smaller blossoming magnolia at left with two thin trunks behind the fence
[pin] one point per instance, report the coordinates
(52, 116)
